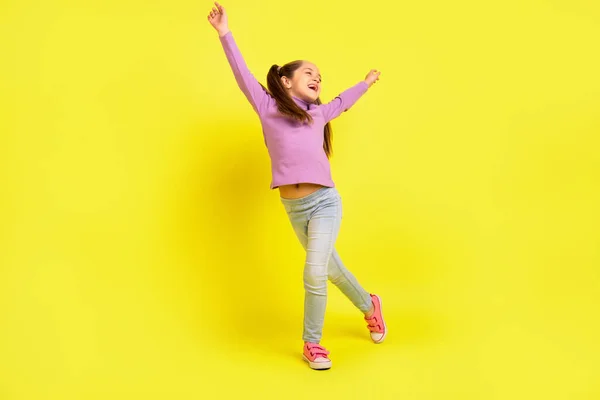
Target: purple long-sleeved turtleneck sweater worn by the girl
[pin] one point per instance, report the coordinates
(295, 148)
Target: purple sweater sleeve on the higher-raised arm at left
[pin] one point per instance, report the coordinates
(252, 89)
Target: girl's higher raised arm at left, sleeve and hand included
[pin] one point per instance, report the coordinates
(252, 89)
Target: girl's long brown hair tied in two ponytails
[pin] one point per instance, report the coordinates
(287, 106)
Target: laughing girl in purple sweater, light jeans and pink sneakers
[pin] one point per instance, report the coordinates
(297, 134)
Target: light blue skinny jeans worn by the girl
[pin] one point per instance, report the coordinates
(316, 219)
